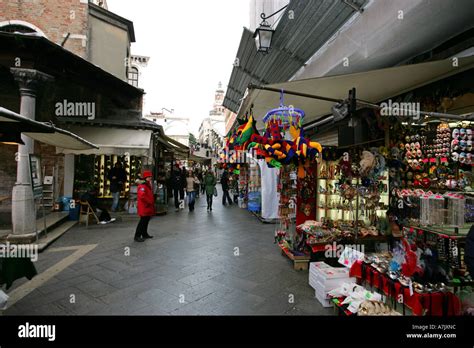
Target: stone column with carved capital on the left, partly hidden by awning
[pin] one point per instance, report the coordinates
(23, 205)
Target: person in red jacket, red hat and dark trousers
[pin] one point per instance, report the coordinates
(146, 207)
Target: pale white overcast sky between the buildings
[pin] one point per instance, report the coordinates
(192, 45)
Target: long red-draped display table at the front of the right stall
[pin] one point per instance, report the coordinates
(435, 303)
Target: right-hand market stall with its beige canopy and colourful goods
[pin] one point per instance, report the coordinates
(392, 195)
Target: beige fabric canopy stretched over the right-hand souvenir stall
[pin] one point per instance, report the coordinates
(373, 86)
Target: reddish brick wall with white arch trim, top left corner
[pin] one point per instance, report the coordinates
(55, 18)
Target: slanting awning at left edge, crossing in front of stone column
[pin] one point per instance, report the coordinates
(11, 123)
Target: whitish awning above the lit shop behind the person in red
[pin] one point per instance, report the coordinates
(112, 141)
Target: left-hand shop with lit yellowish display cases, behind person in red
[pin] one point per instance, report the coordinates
(158, 153)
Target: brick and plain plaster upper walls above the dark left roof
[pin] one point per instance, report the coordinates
(86, 28)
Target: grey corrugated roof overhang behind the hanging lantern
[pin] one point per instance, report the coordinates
(296, 39)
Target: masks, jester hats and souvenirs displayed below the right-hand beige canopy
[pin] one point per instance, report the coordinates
(381, 220)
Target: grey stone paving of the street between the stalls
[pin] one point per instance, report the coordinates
(219, 263)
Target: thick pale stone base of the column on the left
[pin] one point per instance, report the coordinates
(23, 210)
